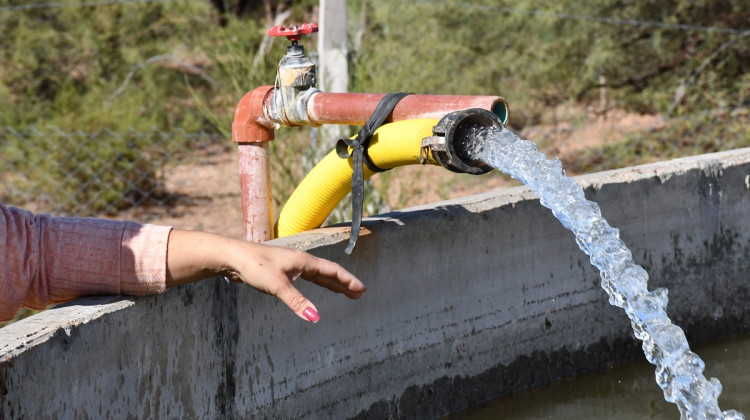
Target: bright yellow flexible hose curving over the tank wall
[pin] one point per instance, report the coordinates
(392, 145)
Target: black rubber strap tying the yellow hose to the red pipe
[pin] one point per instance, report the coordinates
(359, 157)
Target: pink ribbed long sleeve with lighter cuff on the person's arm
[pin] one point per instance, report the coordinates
(48, 260)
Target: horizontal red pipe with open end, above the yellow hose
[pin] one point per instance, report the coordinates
(356, 108)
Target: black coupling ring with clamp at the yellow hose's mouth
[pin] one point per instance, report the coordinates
(453, 136)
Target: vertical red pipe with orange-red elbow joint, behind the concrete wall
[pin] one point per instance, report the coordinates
(252, 133)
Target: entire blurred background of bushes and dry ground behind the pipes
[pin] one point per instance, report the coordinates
(123, 108)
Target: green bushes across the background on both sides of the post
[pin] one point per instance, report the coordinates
(162, 66)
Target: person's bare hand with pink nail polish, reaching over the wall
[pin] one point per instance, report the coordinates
(195, 255)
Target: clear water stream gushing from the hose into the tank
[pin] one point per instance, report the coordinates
(679, 371)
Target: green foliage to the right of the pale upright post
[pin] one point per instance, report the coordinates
(540, 54)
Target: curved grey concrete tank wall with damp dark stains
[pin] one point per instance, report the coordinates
(467, 300)
